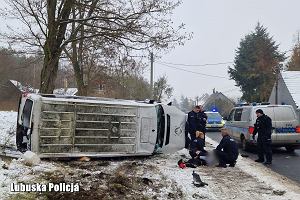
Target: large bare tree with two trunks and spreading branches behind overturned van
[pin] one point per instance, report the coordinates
(72, 26)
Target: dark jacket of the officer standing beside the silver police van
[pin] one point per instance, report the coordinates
(263, 126)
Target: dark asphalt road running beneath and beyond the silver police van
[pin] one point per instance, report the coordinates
(284, 163)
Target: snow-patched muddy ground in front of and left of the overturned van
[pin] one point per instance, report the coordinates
(156, 177)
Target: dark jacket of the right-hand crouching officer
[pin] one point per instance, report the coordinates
(229, 146)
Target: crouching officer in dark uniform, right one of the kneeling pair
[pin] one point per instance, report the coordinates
(227, 151)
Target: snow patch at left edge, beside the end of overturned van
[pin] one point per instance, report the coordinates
(8, 122)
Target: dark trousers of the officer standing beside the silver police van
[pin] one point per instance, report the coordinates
(264, 149)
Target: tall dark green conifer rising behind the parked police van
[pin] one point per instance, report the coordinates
(256, 59)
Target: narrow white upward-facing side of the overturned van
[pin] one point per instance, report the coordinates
(92, 100)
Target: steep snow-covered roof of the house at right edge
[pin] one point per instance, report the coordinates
(292, 81)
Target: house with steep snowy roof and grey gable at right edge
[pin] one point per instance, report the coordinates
(288, 90)
